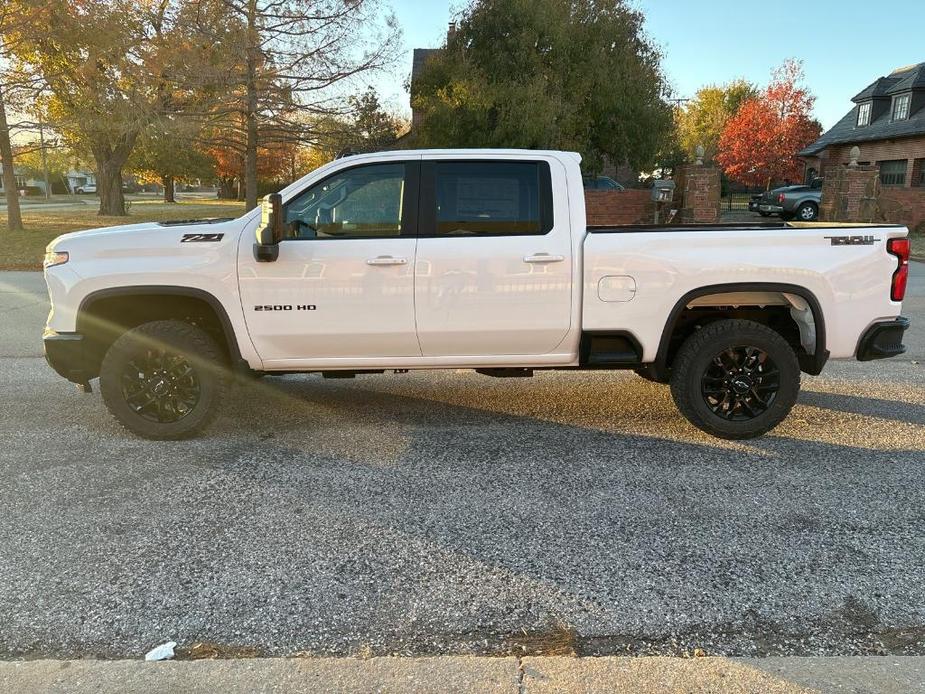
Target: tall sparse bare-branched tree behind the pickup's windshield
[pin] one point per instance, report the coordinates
(291, 61)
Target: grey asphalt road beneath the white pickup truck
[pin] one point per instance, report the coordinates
(455, 513)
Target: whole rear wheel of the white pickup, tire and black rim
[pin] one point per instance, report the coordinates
(735, 379)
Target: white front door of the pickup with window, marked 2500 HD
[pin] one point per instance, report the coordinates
(343, 285)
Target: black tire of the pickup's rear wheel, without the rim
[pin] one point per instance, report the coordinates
(696, 355)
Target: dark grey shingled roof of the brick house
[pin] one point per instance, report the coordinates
(903, 79)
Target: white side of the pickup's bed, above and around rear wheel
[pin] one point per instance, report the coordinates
(638, 275)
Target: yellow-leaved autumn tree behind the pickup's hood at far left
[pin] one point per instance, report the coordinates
(109, 68)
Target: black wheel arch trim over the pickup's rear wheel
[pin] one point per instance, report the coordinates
(810, 363)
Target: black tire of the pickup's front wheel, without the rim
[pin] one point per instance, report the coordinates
(176, 339)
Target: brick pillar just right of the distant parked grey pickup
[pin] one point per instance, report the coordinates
(851, 194)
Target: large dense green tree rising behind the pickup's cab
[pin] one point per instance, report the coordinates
(578, 75)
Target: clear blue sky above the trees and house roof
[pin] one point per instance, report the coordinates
(844, 44)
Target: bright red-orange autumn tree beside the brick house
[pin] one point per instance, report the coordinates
(760, 142)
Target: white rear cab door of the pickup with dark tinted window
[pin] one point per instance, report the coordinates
(493, 274)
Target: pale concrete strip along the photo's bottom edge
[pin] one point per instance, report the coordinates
(876, 675)
